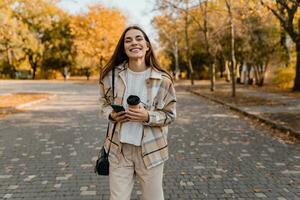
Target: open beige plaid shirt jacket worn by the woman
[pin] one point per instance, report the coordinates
(161, 106)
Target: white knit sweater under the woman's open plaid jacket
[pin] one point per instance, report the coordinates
(132, 132)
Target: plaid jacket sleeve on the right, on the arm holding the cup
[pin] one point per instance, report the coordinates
(165, 112)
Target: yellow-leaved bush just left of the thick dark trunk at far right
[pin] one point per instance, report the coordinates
(284, 77)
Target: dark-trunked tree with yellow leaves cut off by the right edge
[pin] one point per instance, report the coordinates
(286, 11)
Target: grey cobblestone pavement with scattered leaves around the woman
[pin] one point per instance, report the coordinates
(49, 151)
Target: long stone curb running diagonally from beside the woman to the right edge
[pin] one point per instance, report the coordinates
(273, 124)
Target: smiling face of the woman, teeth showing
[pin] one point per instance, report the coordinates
(135, 44)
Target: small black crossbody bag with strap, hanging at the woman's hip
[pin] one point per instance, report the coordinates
(102, 163)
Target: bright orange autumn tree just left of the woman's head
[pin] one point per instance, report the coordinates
(96, 34)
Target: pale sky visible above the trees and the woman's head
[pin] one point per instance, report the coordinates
(137, 11)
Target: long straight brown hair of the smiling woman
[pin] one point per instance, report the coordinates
(119, 55)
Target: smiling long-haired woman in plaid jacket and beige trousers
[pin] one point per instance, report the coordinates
(139, 143)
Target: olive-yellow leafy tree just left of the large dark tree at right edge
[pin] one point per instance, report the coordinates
(260, 43)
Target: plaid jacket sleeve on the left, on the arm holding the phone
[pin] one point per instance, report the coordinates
(104, 101)
